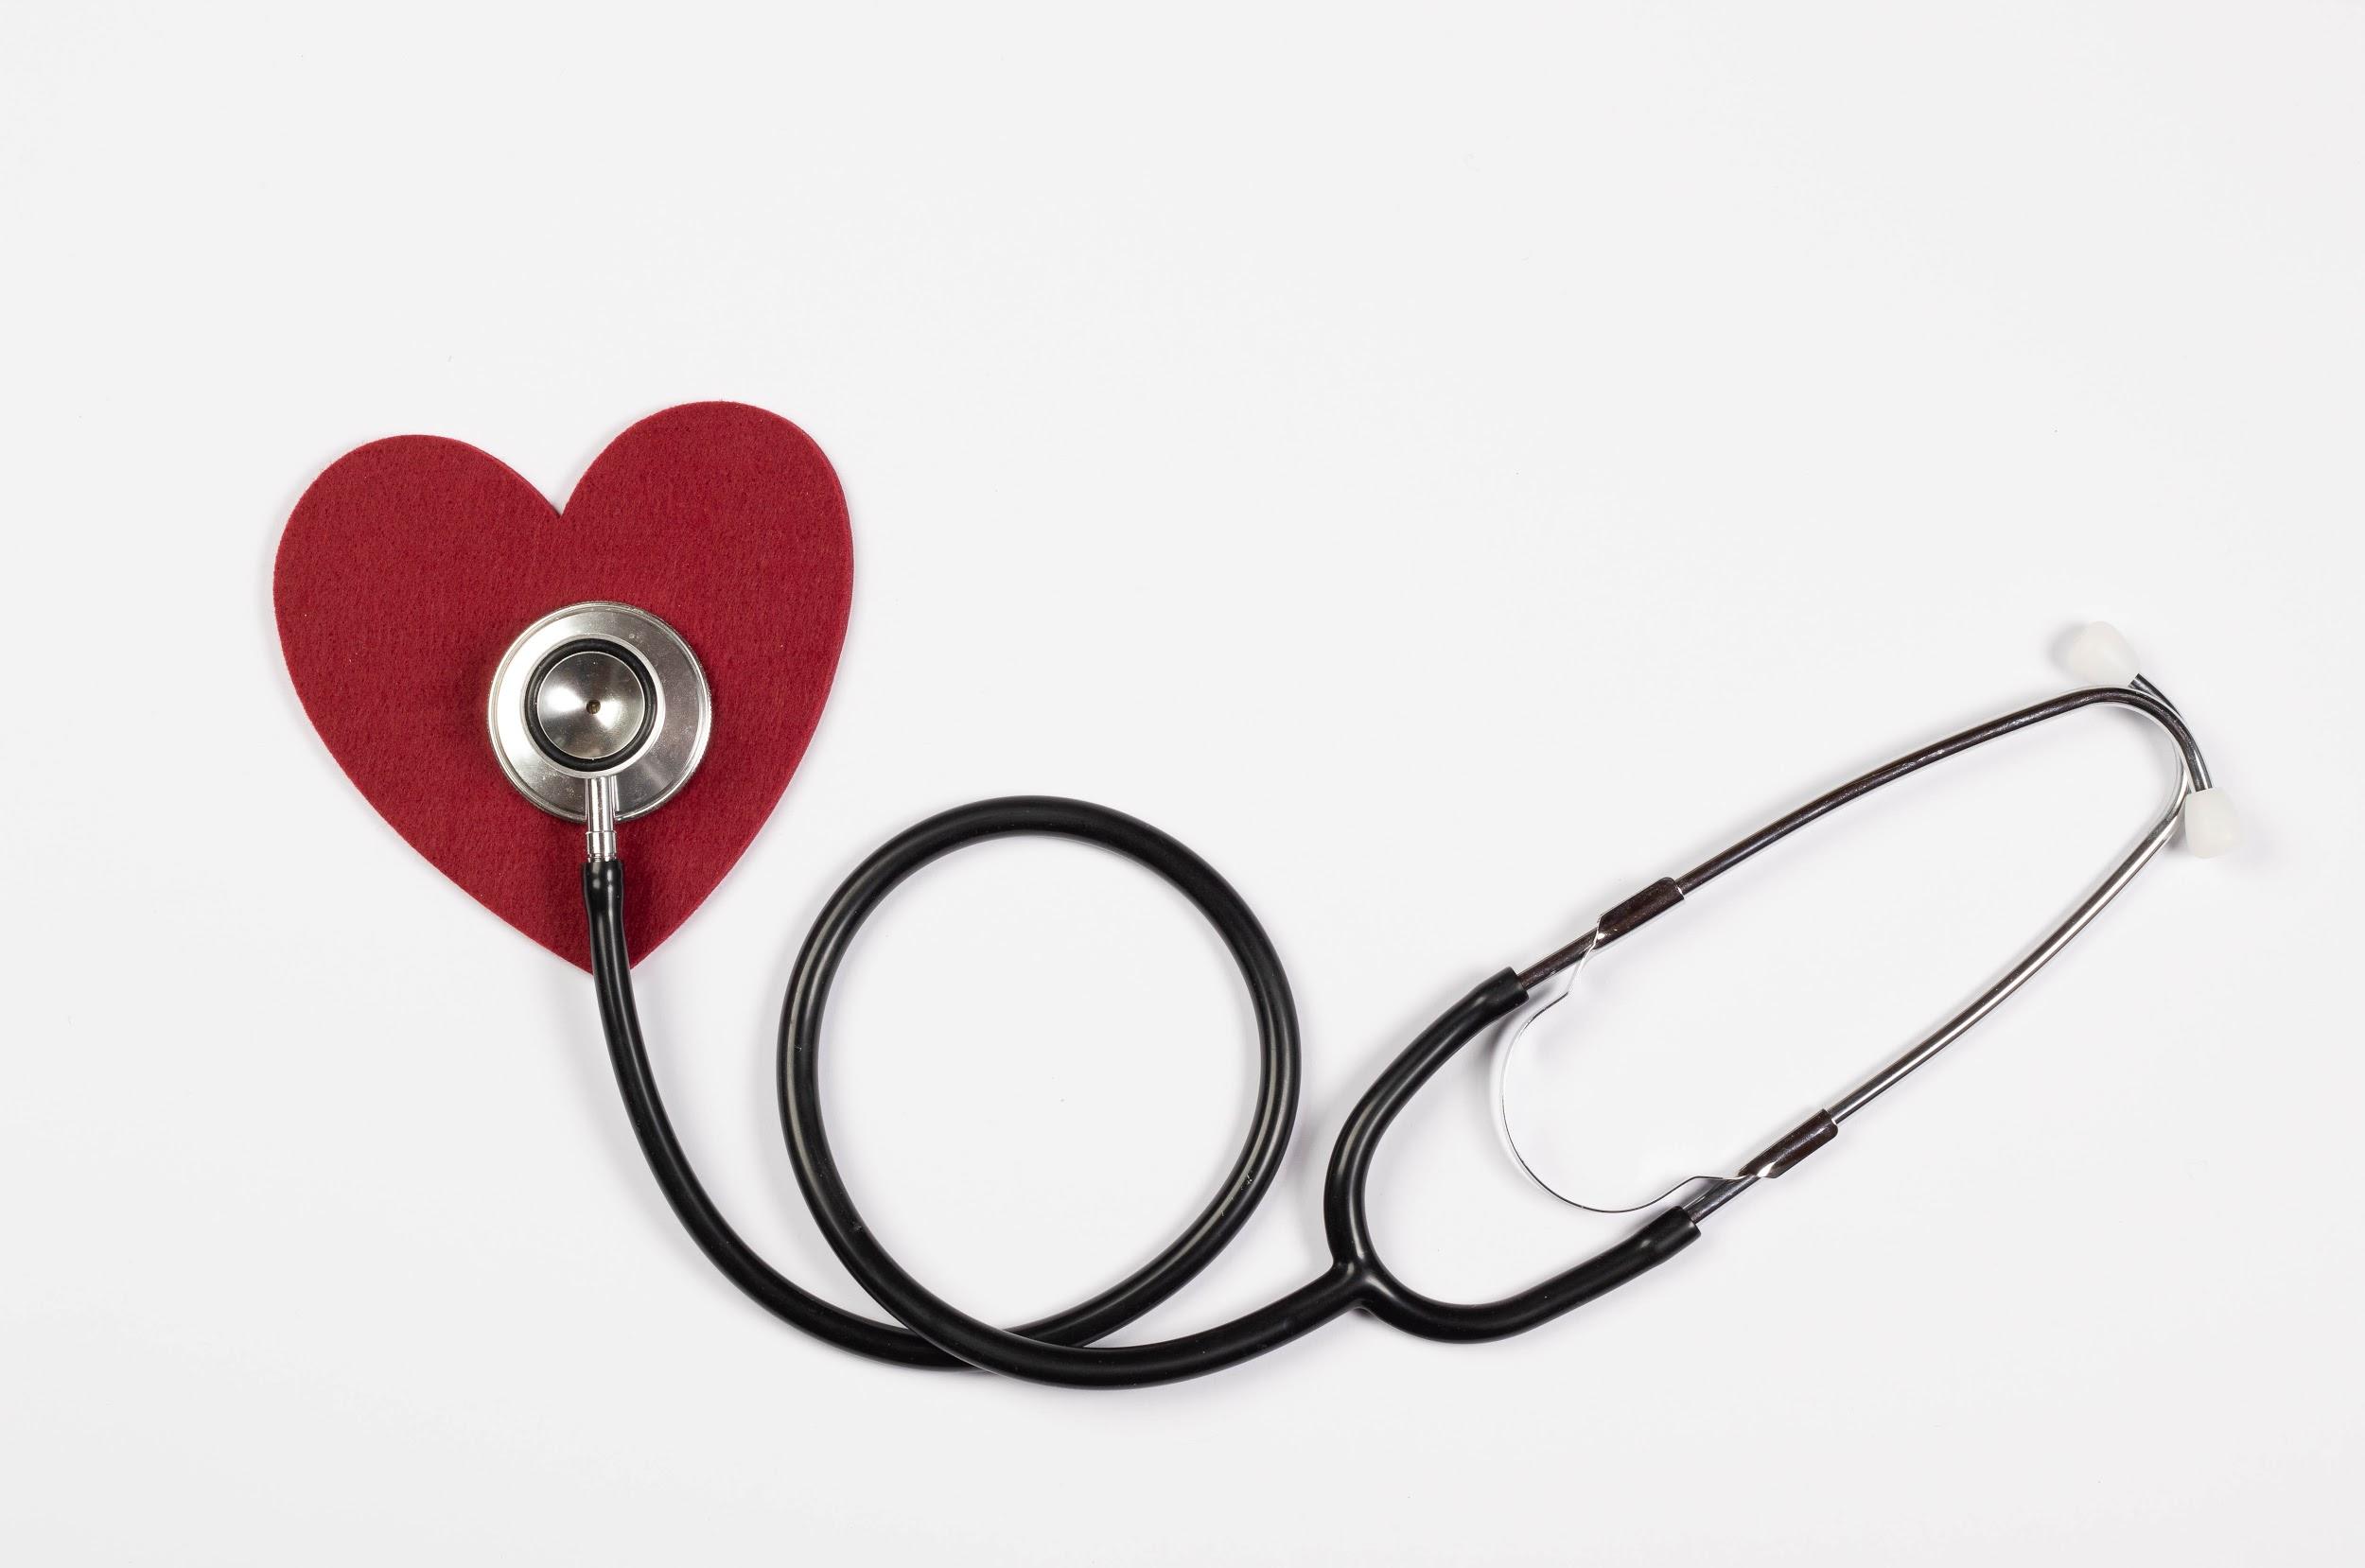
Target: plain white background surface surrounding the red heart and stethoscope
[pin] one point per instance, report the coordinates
(1451, 467)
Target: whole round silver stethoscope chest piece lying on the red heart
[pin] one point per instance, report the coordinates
(600, 689)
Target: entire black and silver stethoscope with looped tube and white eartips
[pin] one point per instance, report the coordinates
(600, 713)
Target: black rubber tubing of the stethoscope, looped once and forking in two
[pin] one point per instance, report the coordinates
(1061, 1349)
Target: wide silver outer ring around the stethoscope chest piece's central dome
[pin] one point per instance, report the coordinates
(670, 744)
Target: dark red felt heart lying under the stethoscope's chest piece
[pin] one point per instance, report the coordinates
(413, 564)
